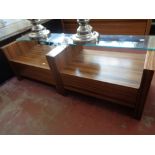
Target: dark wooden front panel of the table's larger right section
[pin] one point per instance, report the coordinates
(111, 92)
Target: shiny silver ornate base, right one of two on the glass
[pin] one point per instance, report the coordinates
(84, 33)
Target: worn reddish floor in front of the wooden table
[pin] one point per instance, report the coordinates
(29, 107)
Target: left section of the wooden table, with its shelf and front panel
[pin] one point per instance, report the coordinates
(28, 59)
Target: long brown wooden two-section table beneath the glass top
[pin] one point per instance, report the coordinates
(117, 75)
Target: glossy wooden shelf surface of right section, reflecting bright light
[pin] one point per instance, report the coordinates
(121, 68)
